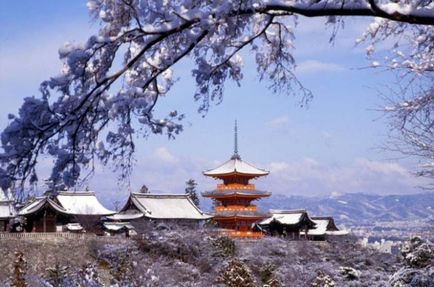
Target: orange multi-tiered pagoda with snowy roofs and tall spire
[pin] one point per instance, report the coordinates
(233, 208)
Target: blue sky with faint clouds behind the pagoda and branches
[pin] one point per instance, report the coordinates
(330, 147)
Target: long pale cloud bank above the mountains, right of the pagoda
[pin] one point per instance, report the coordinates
(310, 177)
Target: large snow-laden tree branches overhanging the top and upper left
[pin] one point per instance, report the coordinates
(107, 91)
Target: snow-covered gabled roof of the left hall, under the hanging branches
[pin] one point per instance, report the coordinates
(72, 203)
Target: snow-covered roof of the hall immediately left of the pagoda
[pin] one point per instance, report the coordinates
(167, 206)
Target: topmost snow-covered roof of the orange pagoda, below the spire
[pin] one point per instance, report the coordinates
(236, 166)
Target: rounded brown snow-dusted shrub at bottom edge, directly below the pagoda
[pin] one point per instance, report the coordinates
(236, 274)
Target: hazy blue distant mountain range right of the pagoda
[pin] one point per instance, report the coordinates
(359, 208)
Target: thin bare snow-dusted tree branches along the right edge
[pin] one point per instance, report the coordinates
(410, 101)
